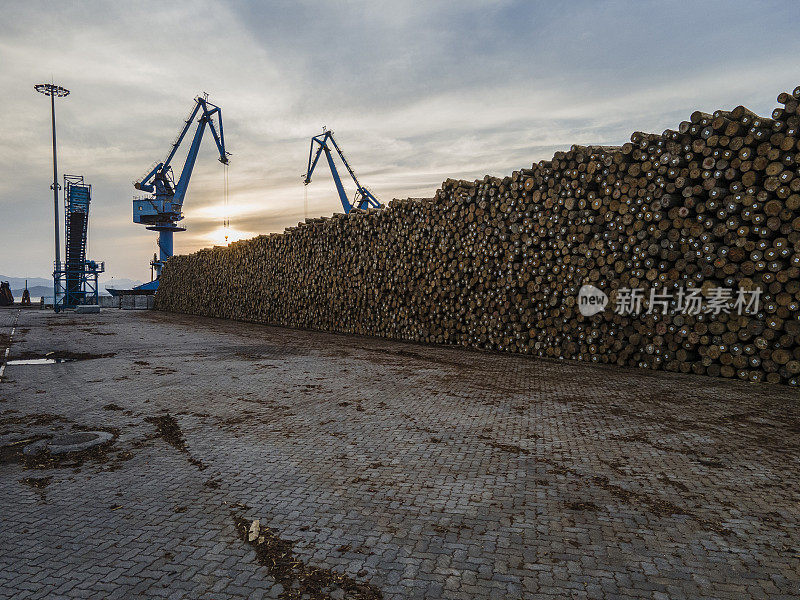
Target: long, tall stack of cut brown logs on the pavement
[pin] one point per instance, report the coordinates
(497, 264)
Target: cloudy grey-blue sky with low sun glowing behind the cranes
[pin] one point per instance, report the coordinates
(416, 92)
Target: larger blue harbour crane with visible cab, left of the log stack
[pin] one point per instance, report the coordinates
(162, 211)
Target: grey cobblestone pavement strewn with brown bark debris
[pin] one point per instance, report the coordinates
(424, 472)
